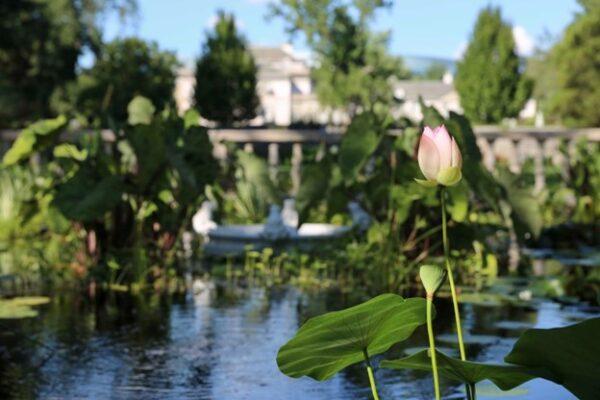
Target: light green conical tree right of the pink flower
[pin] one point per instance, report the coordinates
(489, 78)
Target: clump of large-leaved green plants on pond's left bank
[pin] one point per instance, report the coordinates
(141, 189)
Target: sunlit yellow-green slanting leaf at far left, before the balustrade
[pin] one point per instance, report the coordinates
(34, 138)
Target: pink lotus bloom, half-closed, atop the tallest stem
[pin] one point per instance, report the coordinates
(439, 157)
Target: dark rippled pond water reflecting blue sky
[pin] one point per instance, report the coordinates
(221, 343)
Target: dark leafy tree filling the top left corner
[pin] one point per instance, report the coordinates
(40, 43)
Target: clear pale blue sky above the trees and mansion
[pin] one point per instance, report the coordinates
(438, 28)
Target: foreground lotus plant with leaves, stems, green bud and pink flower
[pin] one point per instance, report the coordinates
(326, 344)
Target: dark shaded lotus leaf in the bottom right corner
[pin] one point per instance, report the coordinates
(571, 354)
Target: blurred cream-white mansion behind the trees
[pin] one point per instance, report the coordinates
(286, 91)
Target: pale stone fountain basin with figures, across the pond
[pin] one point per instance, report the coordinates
(279, 231)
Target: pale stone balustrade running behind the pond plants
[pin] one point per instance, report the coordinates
(514, 145)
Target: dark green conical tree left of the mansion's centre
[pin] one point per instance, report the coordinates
(226, 76)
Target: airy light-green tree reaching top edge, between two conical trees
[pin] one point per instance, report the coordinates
(353, 69)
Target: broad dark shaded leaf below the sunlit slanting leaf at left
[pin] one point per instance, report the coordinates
(87, 196)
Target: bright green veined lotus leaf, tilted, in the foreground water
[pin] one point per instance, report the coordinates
(327, 344)
